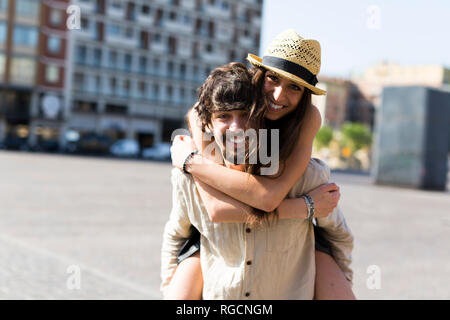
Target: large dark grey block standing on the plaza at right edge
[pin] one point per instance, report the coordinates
(412, 138)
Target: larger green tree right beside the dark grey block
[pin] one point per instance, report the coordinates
(356, 136)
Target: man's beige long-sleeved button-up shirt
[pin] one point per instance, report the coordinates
(239, 261)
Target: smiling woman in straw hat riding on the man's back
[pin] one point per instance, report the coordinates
(287, 74)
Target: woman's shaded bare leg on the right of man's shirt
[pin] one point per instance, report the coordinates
(331, 283)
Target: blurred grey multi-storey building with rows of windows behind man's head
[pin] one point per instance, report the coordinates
(136, 65)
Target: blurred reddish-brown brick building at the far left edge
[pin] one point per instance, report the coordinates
(32, 69)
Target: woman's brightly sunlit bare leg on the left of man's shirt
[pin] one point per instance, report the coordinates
(187, 281)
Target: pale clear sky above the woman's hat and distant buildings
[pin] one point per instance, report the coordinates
(355, 34)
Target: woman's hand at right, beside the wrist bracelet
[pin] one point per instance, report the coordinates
(326, 198)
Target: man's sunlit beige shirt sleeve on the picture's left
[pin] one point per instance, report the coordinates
(176, 230)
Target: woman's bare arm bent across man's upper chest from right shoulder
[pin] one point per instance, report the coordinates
(259, 191)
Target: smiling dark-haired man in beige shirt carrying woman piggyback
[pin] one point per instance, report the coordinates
(239, 260)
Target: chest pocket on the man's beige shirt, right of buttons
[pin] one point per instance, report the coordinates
(284, 235)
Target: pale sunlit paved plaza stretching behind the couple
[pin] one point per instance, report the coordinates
(76, 227)
